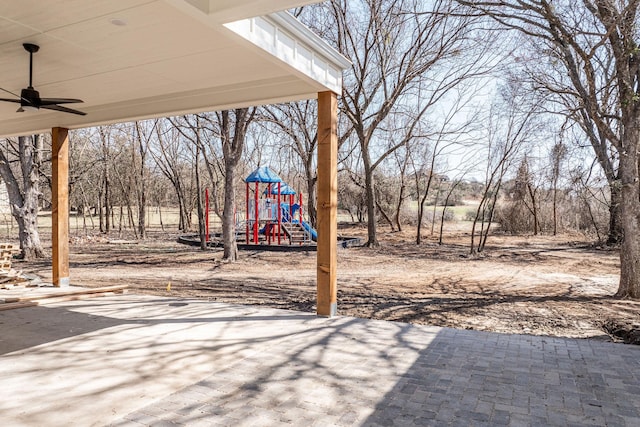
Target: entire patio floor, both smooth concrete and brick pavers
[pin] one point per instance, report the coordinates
(138, 360)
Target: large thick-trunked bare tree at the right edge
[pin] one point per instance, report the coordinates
(597, 44)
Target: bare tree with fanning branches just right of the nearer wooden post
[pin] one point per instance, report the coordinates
(395, 45)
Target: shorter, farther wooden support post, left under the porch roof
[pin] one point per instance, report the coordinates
(60, 205)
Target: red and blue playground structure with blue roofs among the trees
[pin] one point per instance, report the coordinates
(272, 215)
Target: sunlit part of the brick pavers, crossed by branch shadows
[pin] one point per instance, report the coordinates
(334, 370)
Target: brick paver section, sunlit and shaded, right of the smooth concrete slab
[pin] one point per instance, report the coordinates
(350, 372)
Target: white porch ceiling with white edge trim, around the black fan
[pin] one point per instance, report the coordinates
(171, 57)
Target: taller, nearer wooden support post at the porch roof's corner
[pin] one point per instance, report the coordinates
(327, 260)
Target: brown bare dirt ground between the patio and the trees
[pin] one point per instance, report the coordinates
(559, 286)
